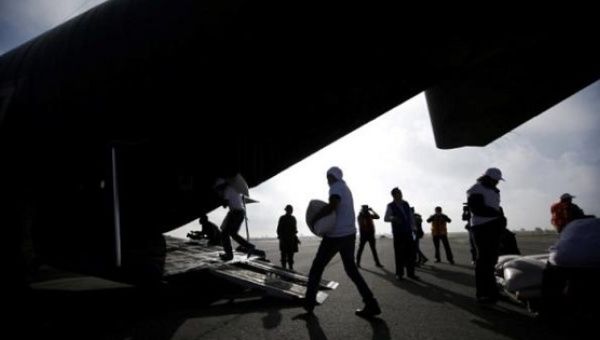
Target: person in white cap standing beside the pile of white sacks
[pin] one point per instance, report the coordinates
(487, 223)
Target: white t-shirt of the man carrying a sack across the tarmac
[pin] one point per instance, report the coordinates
(345, 217)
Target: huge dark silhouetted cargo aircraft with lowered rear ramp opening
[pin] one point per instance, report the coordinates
(115, 124)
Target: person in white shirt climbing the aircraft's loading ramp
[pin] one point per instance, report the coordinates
(233, 220)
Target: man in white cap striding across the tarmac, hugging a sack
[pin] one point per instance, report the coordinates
(341, 239)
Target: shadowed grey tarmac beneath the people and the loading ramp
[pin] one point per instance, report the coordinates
(441, 305)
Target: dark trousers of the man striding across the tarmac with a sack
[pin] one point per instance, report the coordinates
(327, 250)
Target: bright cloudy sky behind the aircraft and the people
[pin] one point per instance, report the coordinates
(555, 152)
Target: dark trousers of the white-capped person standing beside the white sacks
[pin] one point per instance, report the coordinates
(487, 239)
